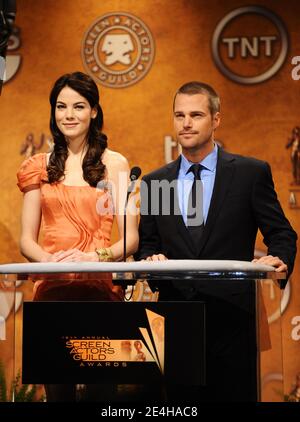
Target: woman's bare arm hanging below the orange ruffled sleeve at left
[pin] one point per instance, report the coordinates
(30, 227)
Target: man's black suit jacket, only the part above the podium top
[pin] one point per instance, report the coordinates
(243, 201)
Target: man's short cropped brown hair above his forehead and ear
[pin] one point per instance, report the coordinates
(194, 87)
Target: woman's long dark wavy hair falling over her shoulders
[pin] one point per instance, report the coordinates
(92, 166)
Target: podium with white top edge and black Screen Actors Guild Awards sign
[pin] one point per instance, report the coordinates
(221, 338)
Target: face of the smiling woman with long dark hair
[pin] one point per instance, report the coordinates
(73, 114)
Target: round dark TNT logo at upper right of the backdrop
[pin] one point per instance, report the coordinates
(250, 45)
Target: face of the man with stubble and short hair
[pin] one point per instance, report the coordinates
(193, 123)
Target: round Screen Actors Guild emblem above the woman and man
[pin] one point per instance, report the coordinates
(117, 50)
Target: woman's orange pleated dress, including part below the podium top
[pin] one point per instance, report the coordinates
(70, 219)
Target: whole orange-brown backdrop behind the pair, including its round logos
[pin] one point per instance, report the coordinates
(139, 53)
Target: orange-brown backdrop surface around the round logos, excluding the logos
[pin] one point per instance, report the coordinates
(256, 120)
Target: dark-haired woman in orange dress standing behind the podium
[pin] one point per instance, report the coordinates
(68, 191)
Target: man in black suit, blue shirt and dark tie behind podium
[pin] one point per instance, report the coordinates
(238, 198)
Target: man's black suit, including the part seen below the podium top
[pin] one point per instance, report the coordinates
(243, 201)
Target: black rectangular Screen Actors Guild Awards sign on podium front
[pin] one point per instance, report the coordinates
(113, 342)
